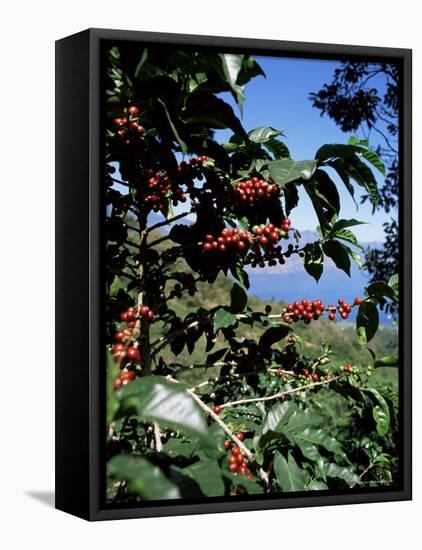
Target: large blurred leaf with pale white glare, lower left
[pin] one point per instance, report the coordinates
(156, 399)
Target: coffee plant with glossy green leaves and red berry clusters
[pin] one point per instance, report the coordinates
(255, 415)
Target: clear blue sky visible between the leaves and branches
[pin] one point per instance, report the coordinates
(281, 100)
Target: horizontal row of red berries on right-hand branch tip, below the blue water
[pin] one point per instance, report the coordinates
(313, 309)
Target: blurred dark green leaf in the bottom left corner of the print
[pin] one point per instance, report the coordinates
(142, 477)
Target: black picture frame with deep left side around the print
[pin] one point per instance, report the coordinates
(79, 383)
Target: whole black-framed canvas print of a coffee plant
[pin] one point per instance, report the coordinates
(233, 274)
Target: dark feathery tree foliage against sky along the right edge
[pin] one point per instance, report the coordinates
(366, 95)
